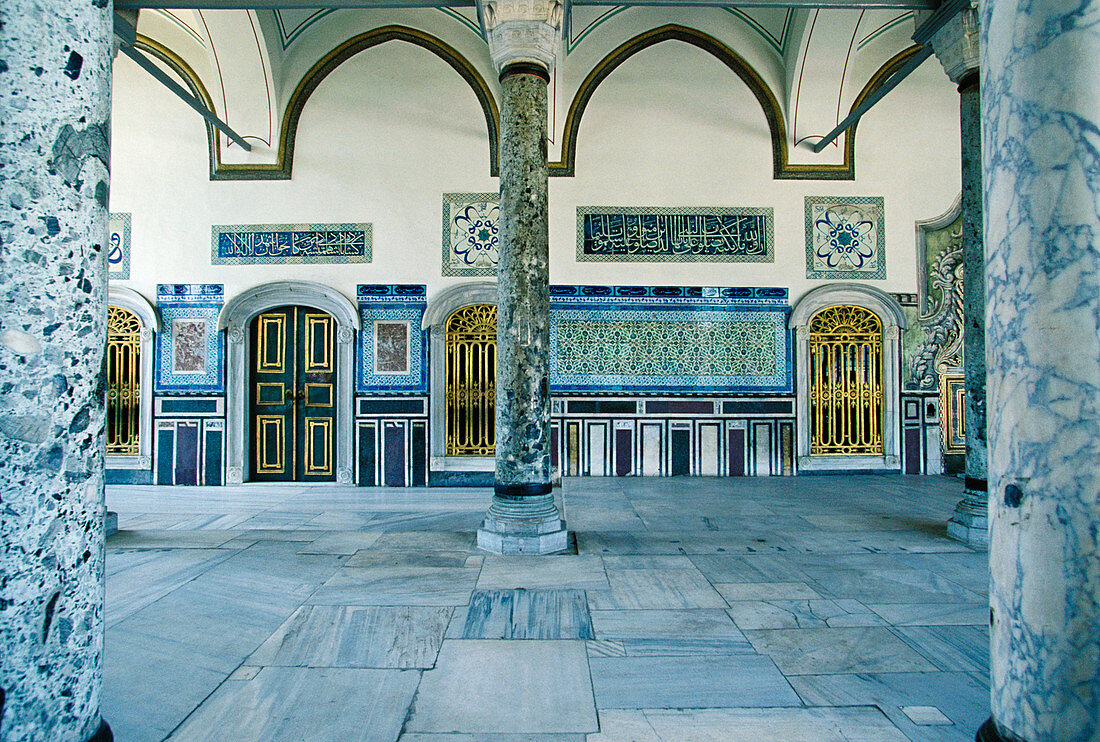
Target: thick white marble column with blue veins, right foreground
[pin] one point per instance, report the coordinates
(1041, 117)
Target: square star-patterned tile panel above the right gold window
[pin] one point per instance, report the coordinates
(846, 237)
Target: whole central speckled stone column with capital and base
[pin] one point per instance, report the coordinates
(523, 519)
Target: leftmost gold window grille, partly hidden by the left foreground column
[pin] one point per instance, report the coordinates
(124, 382)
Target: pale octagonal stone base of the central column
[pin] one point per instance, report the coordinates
(523, 526)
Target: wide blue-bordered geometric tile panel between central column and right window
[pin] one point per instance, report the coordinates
(669, 339)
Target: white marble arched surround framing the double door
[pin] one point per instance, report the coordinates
(235, 319)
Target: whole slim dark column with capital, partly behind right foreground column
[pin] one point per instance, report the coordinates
(958, 47)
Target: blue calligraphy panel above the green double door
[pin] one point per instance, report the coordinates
(251, 245)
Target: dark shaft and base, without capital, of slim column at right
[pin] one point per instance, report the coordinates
(971, 520)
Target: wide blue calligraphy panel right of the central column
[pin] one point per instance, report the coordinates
(721, 235)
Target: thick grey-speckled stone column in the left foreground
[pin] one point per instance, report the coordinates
(56, 73)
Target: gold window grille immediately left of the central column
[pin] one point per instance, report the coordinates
(471, 382)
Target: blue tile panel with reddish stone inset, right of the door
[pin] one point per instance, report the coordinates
(393, 349)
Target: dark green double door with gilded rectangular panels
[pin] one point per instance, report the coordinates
(292, 396)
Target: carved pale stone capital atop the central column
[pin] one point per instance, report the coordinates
(523, 31)
